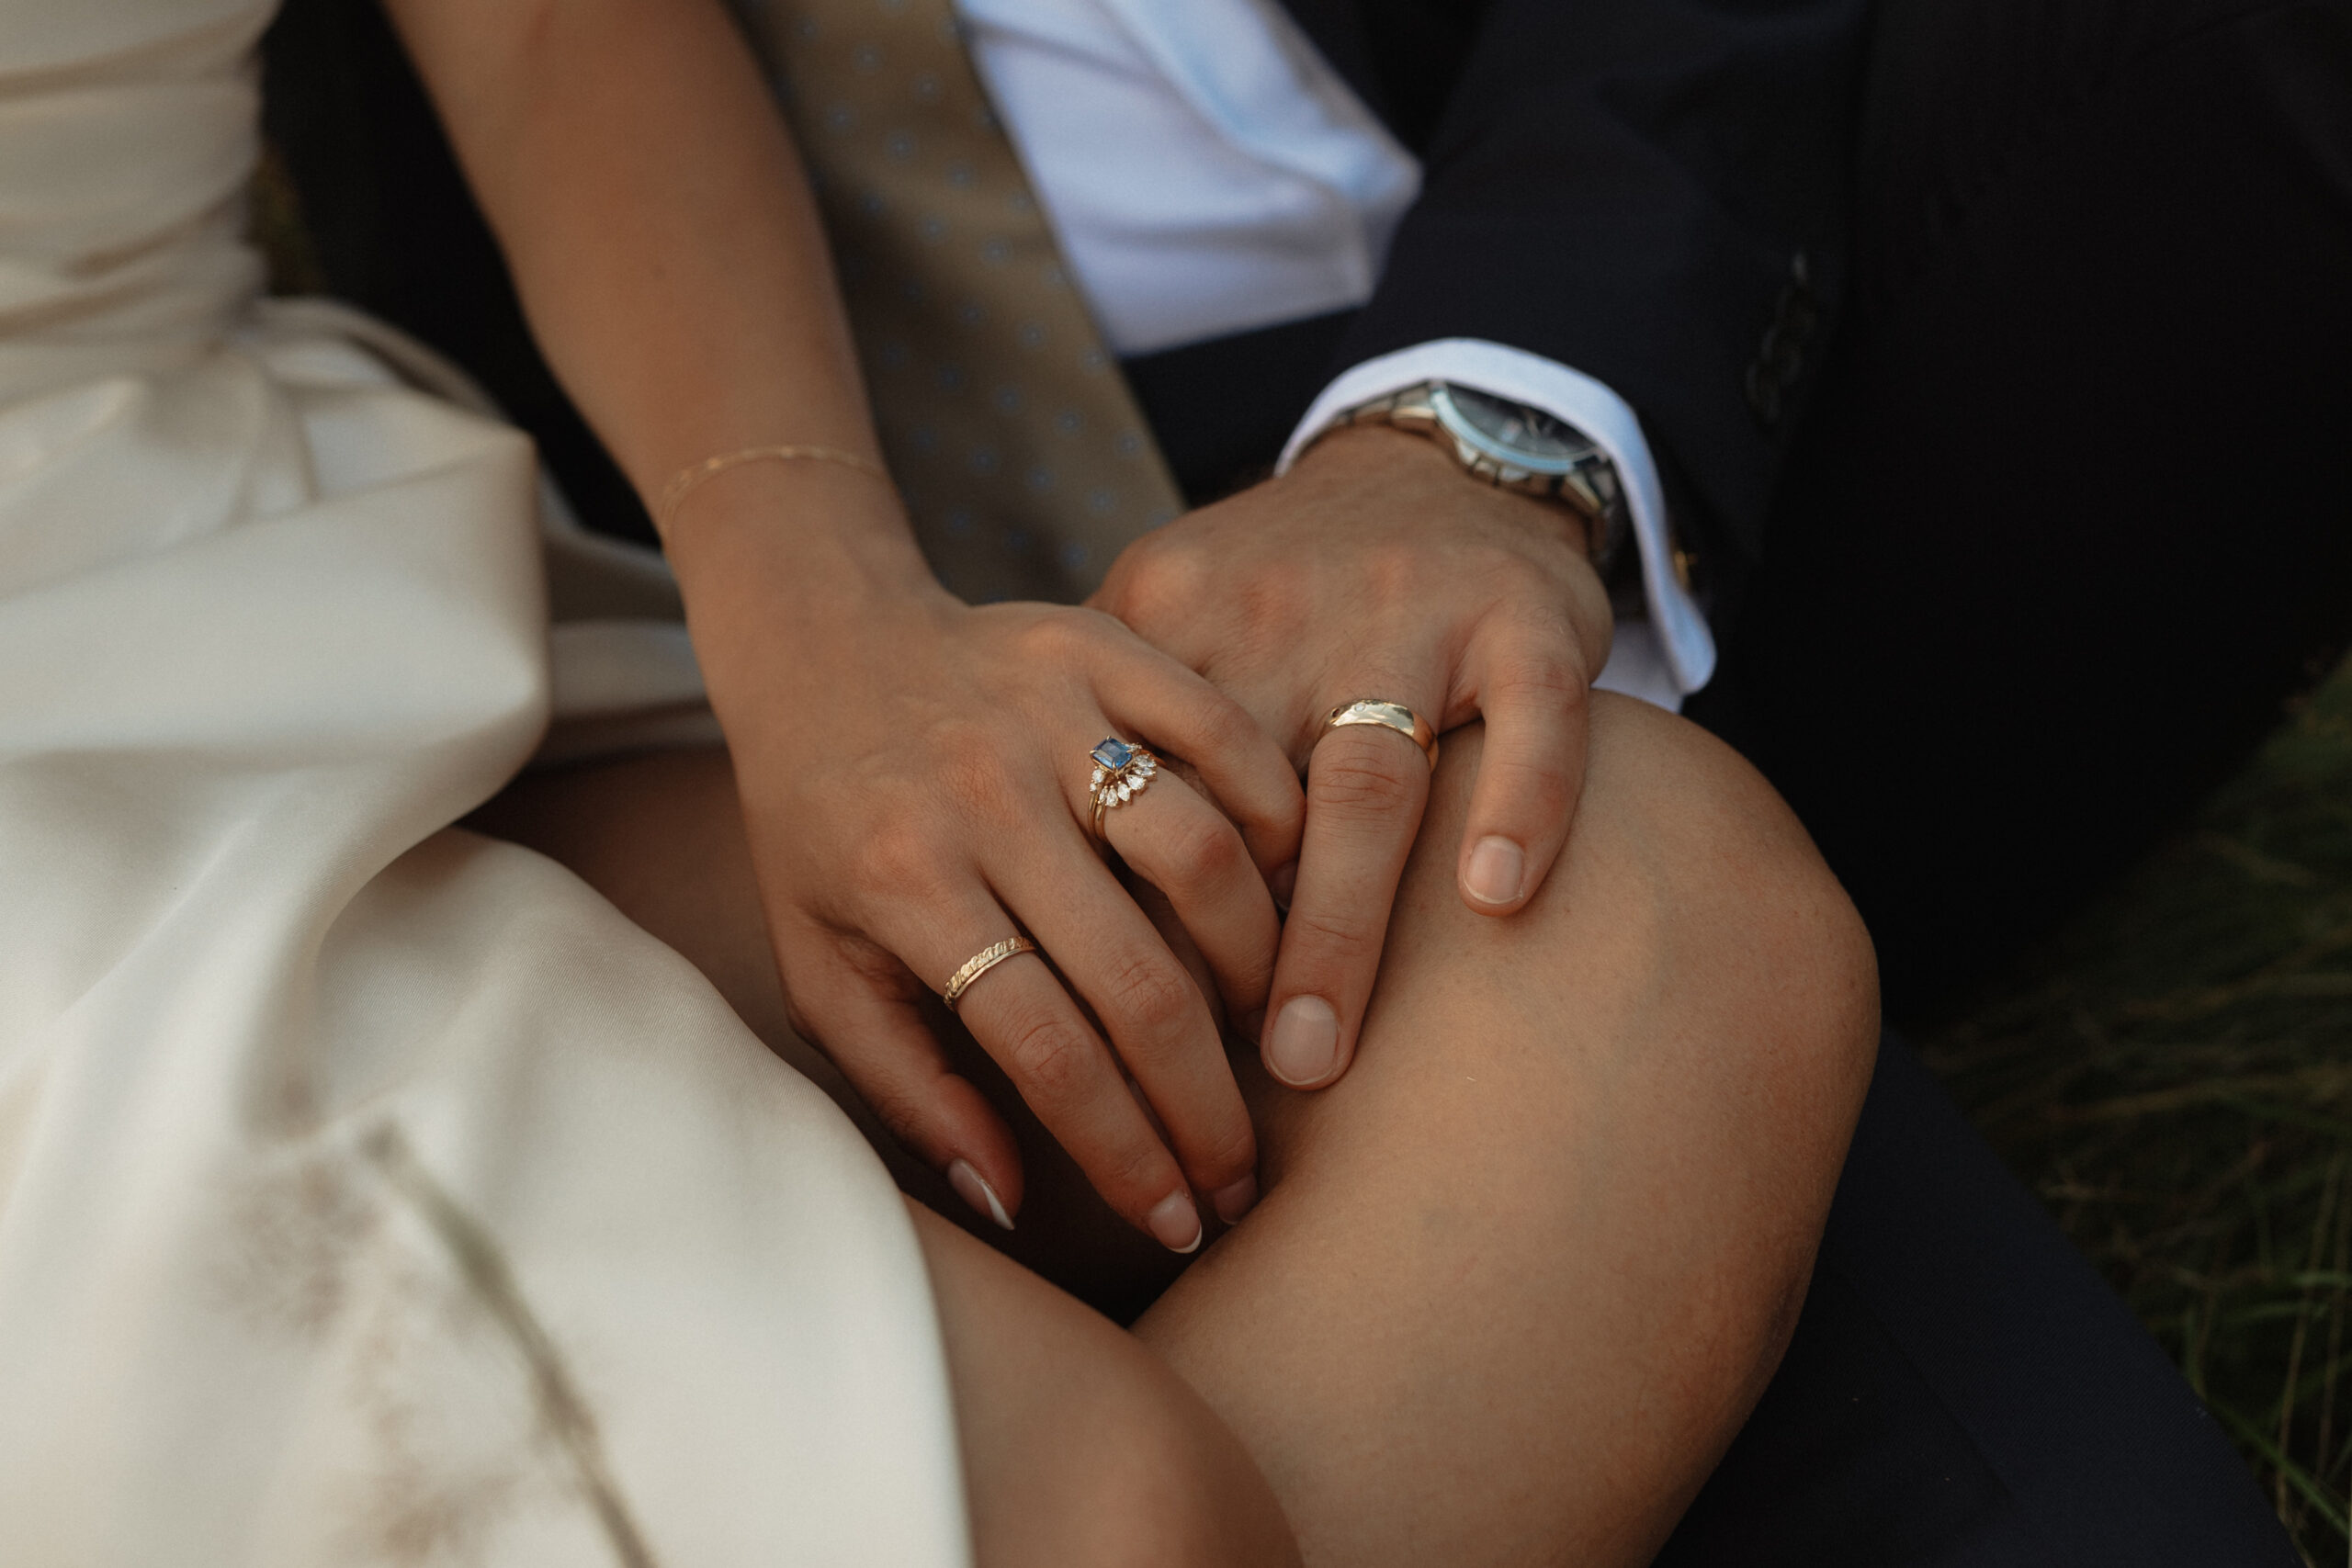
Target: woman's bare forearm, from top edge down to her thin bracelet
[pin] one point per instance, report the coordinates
(660, 229)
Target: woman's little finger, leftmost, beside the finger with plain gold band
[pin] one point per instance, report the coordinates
(881, 1043)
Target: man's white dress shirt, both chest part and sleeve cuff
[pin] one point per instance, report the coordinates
(1208, 173)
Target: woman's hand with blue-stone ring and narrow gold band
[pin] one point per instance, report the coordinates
(918, 786)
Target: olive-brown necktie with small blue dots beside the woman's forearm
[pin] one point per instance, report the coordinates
(1010, 431)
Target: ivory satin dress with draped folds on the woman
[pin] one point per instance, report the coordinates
(370, 1193)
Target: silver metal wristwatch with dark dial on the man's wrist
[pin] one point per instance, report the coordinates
(1514, 448)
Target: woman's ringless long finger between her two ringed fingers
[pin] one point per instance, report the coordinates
(1149, 1005)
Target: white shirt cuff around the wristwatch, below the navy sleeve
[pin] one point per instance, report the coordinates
(1676, 652)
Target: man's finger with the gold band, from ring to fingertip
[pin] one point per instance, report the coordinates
(1365, 796)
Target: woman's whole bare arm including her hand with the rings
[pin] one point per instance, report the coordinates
(914, 770)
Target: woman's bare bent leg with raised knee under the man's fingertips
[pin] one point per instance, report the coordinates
(1521, 1275)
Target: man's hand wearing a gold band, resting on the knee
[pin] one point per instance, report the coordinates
(1379, 570)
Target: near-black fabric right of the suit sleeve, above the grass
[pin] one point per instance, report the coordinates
(2071, 514)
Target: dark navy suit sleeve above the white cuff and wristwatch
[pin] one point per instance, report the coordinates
(1652, 192)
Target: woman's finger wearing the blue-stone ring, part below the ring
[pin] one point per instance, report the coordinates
(1184, 847)
